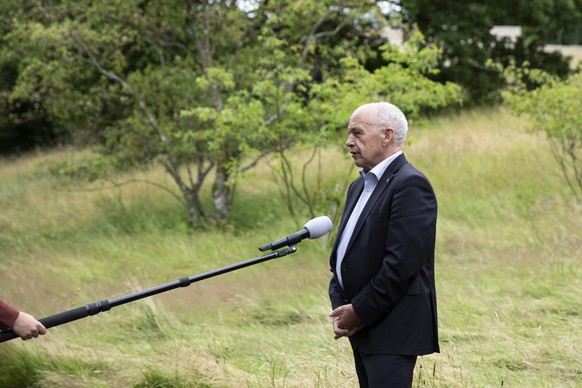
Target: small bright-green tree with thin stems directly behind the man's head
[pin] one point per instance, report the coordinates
(403, 81)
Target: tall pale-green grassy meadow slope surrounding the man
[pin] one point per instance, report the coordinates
(509, 275)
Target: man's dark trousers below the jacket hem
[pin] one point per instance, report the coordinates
(384, 370)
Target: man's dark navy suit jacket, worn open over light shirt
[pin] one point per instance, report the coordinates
(388, 268)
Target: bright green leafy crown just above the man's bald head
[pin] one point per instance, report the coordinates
(403, 81)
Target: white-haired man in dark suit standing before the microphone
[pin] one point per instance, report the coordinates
(383, 289)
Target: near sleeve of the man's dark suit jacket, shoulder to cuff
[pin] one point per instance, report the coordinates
(409, 239)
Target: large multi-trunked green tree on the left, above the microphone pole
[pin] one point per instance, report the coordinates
(118, 74)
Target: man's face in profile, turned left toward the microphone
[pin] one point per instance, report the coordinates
(367, 146)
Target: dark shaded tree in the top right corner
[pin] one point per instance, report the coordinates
(461, 30)
